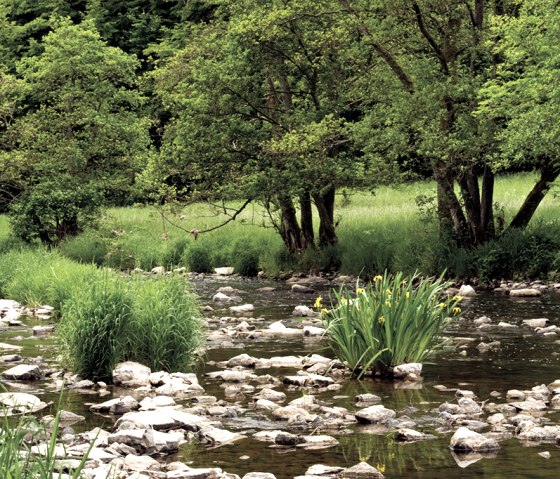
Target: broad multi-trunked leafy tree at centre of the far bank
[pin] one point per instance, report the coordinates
(258, 111)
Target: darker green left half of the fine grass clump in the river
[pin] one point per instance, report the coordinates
(92, 331)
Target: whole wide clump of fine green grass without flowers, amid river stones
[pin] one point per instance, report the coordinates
(153, 321)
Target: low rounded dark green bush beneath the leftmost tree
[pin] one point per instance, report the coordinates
(54, 209)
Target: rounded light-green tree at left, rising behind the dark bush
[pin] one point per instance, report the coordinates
(81, 122)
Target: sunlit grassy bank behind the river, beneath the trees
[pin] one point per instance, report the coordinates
(384, 230)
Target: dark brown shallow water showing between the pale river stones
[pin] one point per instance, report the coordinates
(523, 361)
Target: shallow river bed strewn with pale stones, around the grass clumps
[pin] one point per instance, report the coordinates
(270, 400)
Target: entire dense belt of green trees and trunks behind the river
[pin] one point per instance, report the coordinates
(280, 102)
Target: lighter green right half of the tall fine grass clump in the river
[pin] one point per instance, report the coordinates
(164, 330)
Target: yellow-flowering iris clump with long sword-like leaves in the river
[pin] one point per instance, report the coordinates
(394, 320)
